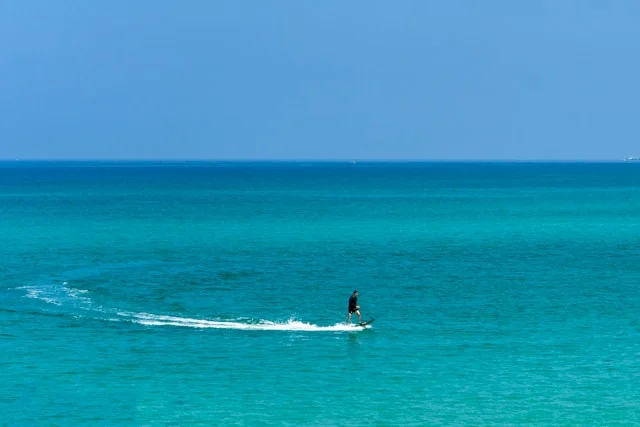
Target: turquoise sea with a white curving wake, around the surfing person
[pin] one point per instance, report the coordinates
(215, 294)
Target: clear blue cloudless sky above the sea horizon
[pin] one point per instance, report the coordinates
(296, 79)
